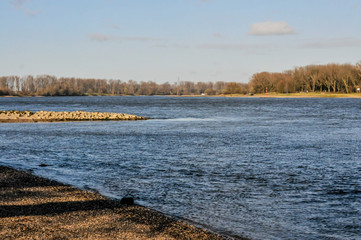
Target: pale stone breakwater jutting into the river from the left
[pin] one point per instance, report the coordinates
(45, 116)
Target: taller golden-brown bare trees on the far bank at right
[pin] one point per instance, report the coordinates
(342, 78)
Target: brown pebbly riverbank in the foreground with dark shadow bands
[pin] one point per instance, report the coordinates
(33, 207)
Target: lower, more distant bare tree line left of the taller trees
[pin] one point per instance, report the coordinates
(46, 85)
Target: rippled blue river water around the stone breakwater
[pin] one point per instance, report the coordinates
(252, 167)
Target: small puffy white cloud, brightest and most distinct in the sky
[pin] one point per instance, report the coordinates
(271, 28)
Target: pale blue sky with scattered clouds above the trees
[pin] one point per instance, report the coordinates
(175, 40)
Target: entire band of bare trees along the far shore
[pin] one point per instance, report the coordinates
(340, 78)
